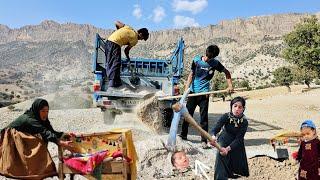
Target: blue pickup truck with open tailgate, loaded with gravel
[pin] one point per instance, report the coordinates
(155, 74)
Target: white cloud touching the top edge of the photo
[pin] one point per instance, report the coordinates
(194, 6)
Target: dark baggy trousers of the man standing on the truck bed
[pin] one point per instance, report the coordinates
(113, 63)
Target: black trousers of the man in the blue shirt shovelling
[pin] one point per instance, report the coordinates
(192, 103)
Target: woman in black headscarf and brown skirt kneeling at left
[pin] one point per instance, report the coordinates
(23, 144)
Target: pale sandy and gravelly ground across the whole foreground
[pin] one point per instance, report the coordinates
(270, 111)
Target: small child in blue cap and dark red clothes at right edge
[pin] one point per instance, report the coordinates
(309, 152)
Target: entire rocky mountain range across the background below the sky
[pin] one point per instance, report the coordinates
(50, 55)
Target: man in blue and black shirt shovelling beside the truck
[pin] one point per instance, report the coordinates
(202, 71)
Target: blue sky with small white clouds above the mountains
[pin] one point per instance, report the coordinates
(153, 14)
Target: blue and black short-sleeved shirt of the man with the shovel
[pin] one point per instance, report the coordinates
(203, 73)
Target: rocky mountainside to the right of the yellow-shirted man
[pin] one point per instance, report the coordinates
(250, 48)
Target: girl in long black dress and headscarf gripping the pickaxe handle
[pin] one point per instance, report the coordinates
(232, 159)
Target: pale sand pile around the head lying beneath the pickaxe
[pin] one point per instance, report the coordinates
(155, 160)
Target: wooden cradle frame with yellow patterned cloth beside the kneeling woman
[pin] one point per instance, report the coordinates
(91, 143)
